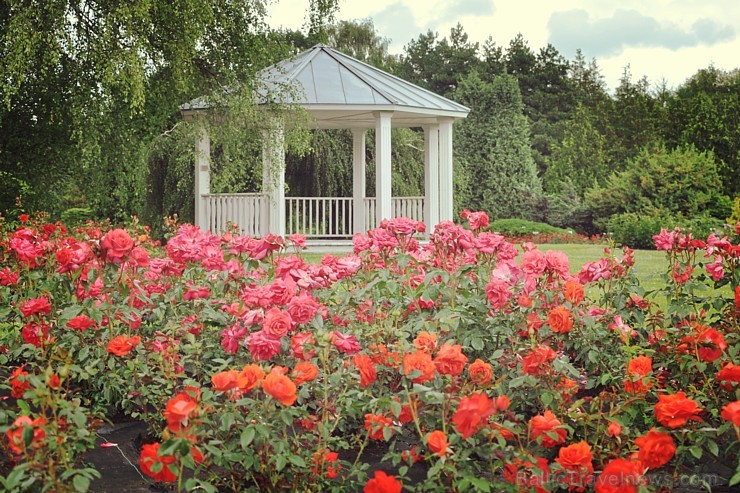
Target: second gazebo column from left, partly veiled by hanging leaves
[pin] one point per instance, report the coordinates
(273, 176)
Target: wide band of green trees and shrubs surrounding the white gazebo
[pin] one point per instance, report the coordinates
(91, 94)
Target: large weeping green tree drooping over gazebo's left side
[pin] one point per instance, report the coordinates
(99, 81)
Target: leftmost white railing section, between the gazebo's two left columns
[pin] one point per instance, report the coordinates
(246, 210)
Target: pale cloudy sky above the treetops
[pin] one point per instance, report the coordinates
(663, 40)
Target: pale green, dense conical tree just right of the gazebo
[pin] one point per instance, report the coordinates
(493, 146)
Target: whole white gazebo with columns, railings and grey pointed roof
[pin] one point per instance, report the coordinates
(339, 92)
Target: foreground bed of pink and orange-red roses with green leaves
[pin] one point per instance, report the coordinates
(468, 366)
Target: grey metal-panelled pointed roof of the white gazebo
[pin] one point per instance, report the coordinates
(342, 92)
